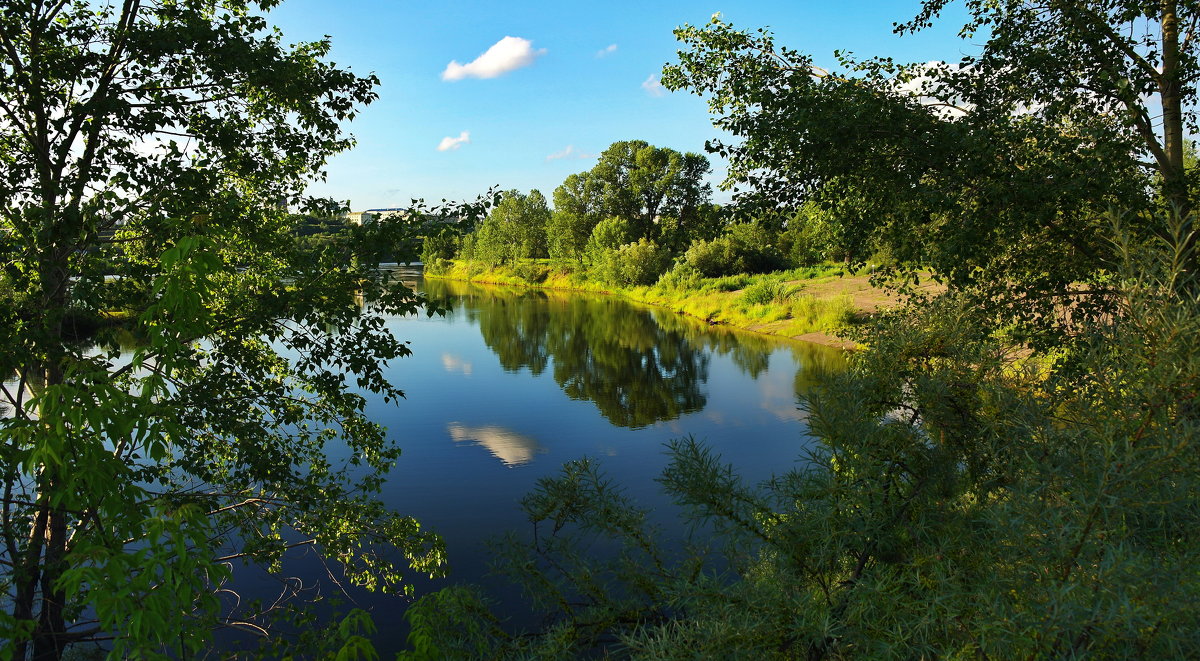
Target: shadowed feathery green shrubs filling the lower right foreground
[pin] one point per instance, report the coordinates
(965, 500)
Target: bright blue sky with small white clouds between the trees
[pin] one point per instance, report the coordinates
(586, 80)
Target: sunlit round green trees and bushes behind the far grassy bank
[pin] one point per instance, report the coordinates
(640, 213)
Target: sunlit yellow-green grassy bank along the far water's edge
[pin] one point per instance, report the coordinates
(815, 305)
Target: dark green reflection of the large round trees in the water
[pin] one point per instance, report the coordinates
(637, 371)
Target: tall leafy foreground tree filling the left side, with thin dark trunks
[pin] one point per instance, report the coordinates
(149, 153)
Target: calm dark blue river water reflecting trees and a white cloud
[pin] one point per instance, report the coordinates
(513, 383)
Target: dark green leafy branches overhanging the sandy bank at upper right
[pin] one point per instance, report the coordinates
(932, 160)
